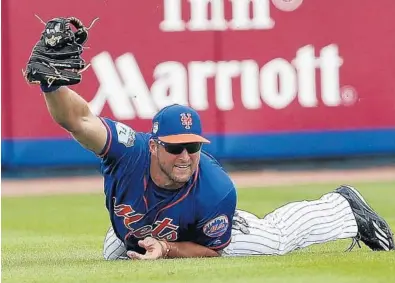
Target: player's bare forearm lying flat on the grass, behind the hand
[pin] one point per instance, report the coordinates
(188, 249)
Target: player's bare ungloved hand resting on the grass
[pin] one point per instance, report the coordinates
(154, 250)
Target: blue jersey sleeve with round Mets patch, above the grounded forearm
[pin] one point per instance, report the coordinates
(215, 228)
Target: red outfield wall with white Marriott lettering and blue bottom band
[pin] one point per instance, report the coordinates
(302, 81)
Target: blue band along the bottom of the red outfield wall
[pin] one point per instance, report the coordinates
(67, 152)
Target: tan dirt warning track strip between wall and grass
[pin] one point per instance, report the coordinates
(94, 184)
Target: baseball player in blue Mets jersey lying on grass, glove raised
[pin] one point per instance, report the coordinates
(166, 197)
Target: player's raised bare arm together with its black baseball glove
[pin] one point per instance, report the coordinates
(54, 64)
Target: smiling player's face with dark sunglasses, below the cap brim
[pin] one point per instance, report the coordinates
(178, 161)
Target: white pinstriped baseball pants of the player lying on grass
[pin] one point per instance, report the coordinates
(293, 226)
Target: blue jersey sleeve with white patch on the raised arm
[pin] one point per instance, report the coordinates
(123, 145)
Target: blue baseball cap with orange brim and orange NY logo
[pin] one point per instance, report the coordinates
(177, 124)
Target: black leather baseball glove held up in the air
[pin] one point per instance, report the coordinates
(56, 57)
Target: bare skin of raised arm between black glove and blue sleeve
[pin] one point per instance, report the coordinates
(72, 112)
